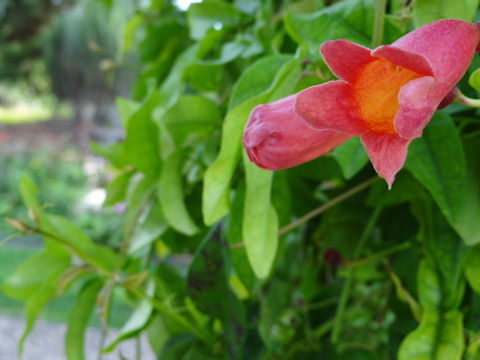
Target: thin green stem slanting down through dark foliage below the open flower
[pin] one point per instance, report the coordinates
(342, 303)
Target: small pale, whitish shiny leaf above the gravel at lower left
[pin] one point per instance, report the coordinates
(137, 321)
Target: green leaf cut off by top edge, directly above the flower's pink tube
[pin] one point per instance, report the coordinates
(426, 11)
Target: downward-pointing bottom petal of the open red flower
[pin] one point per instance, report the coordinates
(386, 152)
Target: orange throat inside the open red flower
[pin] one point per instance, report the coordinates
(376, 90)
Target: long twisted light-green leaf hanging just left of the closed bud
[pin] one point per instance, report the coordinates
(218, 176)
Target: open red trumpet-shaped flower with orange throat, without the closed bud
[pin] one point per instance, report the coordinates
(388, 95)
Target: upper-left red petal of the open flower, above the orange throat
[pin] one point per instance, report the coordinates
(345, 58)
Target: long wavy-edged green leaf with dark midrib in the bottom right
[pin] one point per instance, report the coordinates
(440, 285)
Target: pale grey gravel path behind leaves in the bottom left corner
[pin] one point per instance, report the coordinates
(46, 342)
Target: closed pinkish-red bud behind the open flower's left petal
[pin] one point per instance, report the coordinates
(276, 138)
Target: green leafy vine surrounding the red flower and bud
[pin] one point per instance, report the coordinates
(211, 259)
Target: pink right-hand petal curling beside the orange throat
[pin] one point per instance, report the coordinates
(416, 107)
